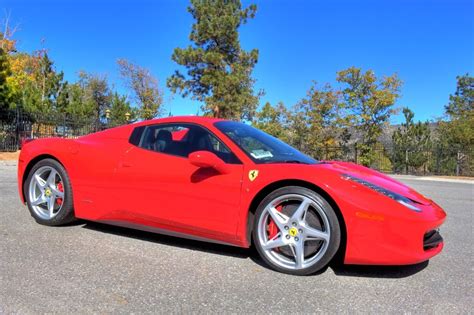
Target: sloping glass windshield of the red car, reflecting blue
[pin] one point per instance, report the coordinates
(261, 147)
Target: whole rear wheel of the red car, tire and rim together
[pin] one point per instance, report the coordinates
(48, 193)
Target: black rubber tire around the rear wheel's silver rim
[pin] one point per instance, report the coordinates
(65, 214)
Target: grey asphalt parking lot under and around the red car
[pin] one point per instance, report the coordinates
(89, 267)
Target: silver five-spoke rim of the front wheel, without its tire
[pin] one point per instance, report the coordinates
(293, 231)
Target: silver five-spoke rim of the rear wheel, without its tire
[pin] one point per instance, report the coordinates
(45, 192)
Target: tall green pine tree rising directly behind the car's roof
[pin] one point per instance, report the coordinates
(218, 69)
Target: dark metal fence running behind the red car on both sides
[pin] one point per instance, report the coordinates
(16, 126)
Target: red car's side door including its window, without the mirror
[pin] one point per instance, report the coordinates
(161, 188)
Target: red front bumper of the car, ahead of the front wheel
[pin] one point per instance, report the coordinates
(395, 236)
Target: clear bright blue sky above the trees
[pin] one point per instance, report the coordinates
(427, 43)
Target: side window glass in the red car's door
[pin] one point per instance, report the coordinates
(183, 139)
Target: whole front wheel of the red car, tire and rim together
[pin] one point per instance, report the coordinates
(296, 231)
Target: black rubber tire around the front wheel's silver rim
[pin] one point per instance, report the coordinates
(334, 228)
